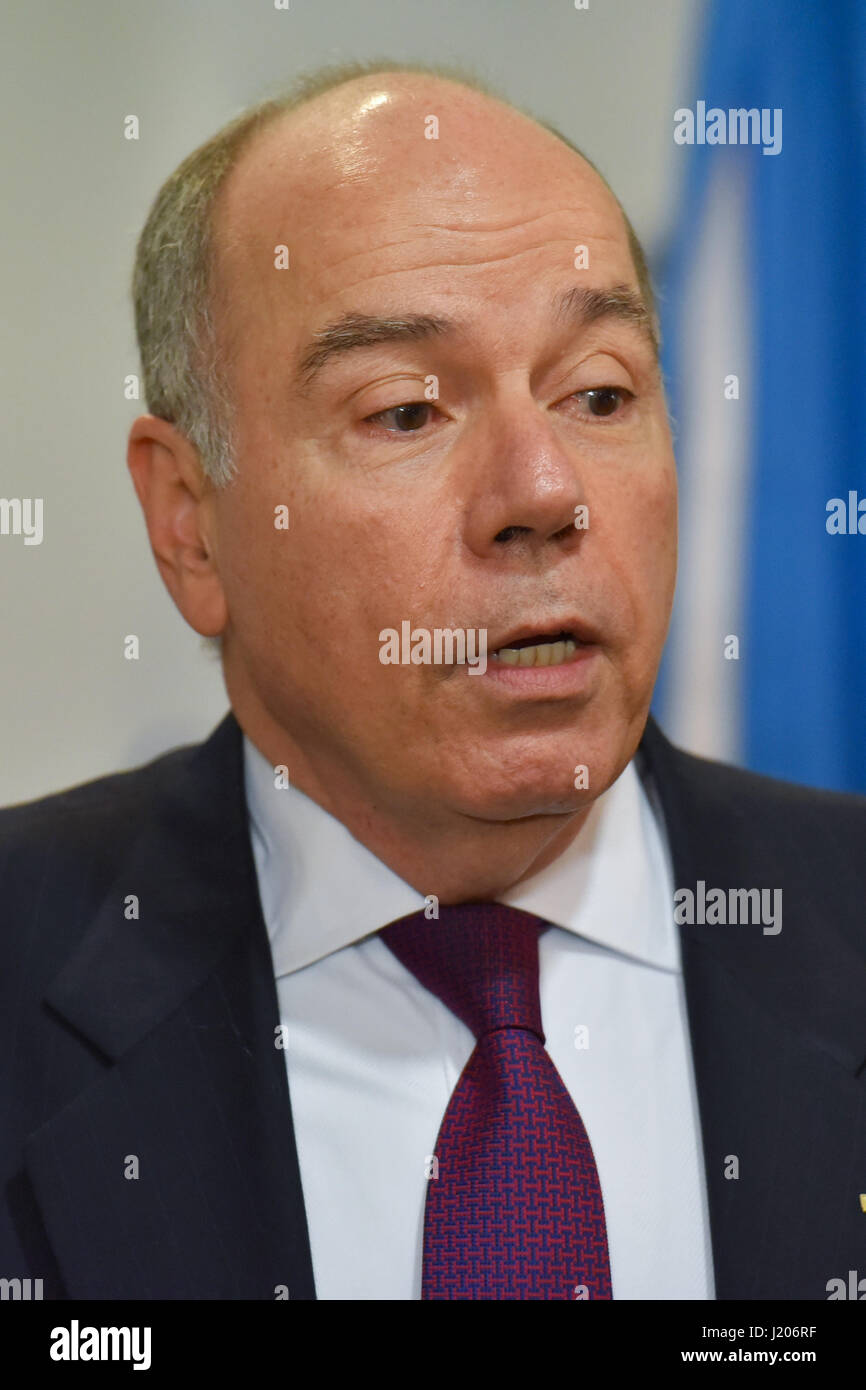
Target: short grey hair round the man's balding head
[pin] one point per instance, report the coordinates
(173, 286)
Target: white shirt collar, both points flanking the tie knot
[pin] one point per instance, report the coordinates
(322, 890)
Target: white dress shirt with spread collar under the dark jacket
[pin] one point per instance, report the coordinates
(373, 1057)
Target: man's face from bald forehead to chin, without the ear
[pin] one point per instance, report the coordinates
(450, 514)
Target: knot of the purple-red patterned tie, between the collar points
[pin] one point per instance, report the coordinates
(480, 958)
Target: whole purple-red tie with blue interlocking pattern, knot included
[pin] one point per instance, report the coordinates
(516, 1210)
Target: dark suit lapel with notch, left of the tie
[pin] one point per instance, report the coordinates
(174, 1175)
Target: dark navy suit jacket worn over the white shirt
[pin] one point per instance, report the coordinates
(155, 1038)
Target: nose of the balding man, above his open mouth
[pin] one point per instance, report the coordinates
(526, 483)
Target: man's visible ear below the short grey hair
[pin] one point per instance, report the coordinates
(176, 498)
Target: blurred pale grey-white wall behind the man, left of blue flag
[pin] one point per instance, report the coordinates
(76, 195)
